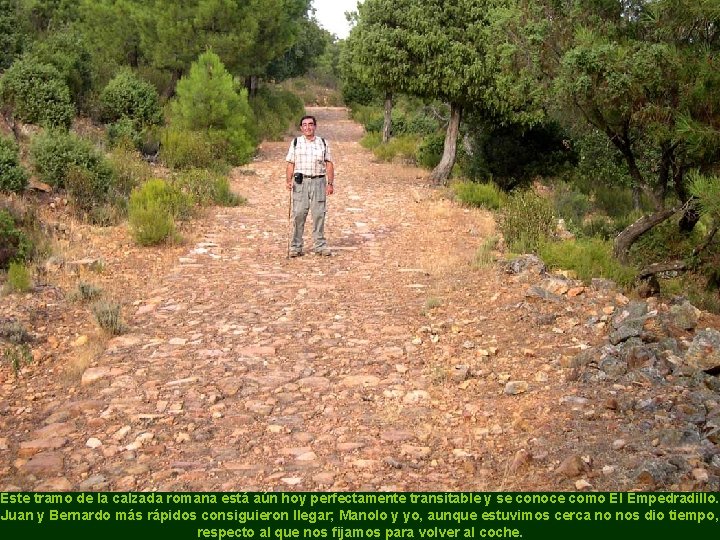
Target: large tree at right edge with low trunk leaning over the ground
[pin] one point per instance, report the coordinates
(644, 74)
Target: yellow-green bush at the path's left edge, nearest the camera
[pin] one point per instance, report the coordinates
(152, 211)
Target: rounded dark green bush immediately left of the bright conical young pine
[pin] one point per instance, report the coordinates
(127, 96)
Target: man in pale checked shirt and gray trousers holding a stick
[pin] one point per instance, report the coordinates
(310, 175)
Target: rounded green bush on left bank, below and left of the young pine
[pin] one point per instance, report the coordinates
(53, 153)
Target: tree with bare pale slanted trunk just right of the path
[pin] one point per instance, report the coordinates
(456, 52)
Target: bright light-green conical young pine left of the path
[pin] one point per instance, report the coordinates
(207, 102)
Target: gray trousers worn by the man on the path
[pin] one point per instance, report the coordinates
(310, 197)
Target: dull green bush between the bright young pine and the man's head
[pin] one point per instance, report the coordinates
(274, 109)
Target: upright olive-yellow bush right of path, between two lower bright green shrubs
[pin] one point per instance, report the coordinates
(526, 221)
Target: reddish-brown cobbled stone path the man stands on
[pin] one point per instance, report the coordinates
(385, 367)
